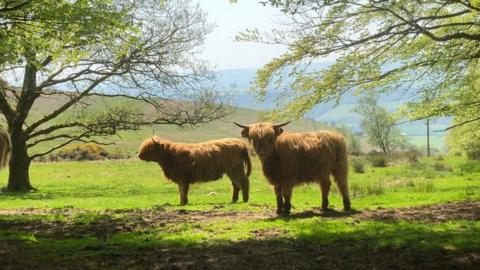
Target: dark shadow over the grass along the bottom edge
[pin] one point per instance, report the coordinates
(361, 249)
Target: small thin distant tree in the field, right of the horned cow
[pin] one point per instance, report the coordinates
(378, 124)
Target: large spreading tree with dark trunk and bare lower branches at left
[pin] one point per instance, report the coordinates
(77, 52)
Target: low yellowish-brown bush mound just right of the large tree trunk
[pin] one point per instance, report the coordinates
(82, 152)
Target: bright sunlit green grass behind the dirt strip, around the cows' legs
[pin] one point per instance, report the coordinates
(135, 184)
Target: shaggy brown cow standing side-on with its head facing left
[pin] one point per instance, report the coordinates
(186, 164)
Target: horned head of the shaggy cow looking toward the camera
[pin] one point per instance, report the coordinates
(263, 136)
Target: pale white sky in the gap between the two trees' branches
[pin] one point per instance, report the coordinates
(221, 49)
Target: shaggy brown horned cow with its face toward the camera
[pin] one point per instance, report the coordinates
(290, 159)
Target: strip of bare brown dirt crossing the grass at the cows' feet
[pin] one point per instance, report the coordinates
(71, 223)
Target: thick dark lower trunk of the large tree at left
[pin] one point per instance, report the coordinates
(19, 177)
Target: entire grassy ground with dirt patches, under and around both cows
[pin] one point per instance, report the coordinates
(124, 214)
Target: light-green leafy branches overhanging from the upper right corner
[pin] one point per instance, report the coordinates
(407, 46)
